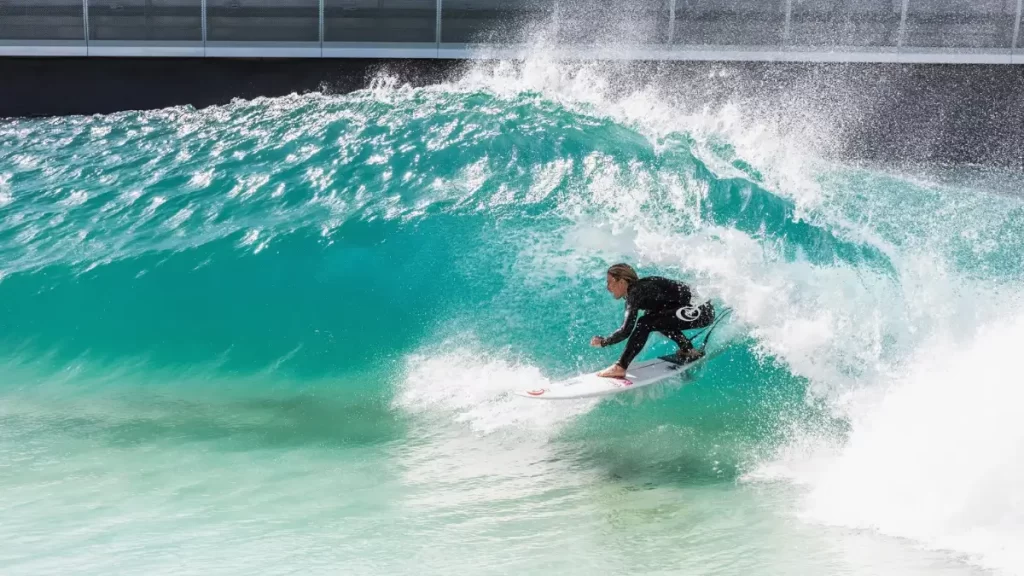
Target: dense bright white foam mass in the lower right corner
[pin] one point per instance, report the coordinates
(935, 456)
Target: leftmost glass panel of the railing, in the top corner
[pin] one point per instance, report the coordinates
(41, 20)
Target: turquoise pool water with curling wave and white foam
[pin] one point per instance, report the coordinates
(281, 336)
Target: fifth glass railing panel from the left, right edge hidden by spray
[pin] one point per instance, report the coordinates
(499, 22)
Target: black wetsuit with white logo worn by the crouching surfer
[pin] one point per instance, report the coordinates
(668, 310)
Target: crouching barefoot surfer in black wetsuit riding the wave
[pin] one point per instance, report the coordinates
(668, 310)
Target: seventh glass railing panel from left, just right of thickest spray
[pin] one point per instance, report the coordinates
(731, 23)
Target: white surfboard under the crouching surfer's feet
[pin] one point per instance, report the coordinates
(641, 375)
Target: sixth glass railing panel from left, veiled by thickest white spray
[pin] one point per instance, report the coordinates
(614, 22)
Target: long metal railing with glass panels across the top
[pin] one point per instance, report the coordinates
(940, 31)
